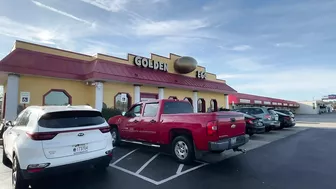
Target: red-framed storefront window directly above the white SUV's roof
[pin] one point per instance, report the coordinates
(56, 97)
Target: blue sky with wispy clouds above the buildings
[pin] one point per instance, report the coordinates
(282, 49)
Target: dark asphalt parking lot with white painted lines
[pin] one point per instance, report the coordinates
(291, 158)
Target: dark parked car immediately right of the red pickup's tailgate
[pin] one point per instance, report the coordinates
(254, 125)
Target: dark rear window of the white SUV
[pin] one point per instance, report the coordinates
(69, 119)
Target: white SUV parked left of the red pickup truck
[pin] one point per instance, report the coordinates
(53, 139)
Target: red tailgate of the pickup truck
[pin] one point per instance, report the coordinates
(230, 125)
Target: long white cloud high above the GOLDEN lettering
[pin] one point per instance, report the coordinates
(169, 27)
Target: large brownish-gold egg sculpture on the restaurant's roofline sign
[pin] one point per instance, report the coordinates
(185, 65)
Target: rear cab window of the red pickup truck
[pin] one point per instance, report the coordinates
(177, 107)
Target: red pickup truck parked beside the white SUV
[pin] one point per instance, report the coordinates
(172, 122)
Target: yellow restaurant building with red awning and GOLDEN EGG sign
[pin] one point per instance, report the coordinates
(38, 75)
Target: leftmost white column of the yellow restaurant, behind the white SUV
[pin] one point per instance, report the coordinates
(12, 97)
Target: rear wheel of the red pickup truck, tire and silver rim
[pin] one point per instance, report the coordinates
(183, 149)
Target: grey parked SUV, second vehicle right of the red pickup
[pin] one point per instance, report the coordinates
(269, 117)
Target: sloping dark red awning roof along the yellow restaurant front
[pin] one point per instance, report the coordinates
(36, 63)
